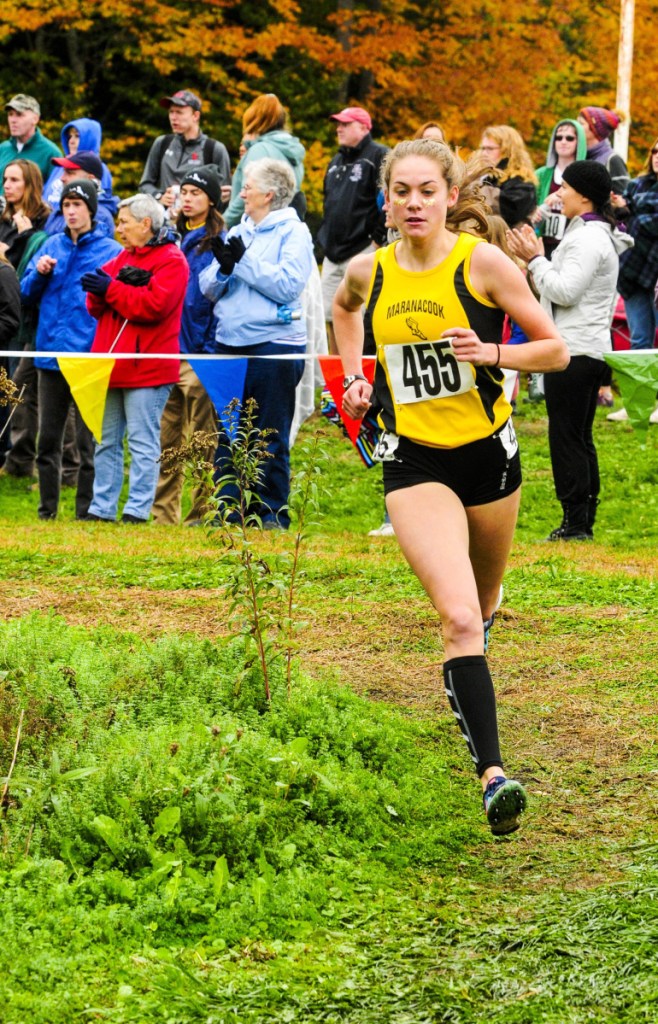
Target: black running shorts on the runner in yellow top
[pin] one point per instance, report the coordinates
(478, 474)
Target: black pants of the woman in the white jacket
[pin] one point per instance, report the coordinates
(572, 404)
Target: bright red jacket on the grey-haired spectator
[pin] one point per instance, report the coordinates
(153, 313)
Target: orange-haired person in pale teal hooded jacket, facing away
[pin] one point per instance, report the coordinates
(266, 137)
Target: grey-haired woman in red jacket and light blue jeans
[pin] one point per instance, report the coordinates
(138, 300)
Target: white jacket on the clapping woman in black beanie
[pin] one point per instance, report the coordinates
(578, 287)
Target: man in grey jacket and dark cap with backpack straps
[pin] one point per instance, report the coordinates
(174, 156)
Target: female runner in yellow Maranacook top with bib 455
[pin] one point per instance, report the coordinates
(452, 470)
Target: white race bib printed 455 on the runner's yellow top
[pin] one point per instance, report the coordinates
(427, 370)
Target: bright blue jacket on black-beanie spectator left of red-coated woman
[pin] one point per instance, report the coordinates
(65, 325)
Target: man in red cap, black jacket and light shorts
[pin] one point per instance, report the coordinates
(354, 221)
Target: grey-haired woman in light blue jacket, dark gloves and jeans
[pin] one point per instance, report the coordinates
(256, 281)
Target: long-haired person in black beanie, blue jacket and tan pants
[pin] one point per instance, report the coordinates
(189, 408)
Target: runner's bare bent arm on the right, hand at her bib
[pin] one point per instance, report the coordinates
(498, 278)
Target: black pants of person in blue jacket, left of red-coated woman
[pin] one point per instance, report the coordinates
(55, 402)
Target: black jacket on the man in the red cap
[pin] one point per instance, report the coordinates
(353, 217)
